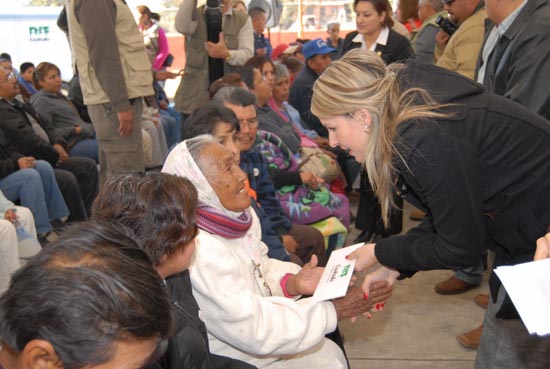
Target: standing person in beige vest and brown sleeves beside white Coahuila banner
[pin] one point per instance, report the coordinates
(115, 73)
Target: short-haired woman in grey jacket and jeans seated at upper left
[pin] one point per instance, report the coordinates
(60, 112)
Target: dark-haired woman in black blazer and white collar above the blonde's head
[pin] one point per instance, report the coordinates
(375, 33)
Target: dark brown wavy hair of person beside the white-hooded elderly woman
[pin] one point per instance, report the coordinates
(159, 208)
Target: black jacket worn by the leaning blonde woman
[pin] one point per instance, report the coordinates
(482, 175)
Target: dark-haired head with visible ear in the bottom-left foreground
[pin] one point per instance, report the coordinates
(89, 300)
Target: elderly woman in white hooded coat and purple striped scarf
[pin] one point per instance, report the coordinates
(247, 299)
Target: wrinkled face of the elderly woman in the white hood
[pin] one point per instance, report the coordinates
(224, 175)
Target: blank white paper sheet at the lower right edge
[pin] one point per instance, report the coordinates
(528, 285)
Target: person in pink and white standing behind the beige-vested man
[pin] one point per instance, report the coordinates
(154, 37)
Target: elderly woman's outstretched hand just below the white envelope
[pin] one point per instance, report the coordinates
(356, 303)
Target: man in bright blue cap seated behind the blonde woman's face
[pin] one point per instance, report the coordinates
(317, 55)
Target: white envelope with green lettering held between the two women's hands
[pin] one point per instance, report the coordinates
(337, 275)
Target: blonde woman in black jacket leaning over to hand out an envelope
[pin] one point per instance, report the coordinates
(477, 163)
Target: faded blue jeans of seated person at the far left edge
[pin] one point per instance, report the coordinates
(37, 190)
